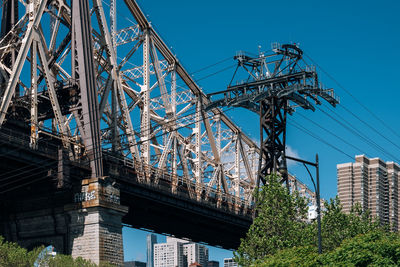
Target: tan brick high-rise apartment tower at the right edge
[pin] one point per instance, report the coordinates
(372, 183)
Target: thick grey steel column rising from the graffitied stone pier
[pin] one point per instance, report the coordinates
(81, 25)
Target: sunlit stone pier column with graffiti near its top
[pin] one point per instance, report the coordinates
(96, 228)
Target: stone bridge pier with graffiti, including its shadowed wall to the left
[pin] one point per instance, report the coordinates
(83, 222)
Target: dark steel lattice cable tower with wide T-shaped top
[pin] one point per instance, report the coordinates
(276, 84)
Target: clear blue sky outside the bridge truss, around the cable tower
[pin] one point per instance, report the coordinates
(354, 42)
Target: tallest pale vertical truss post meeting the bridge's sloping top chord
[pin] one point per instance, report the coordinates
(145, 90)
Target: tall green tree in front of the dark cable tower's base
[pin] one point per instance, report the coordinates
(280, 223)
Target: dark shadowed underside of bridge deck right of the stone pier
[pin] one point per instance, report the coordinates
(168, 214)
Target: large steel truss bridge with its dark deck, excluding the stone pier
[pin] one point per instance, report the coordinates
(87, 94)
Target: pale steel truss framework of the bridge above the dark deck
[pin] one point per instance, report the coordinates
(148, 108)
